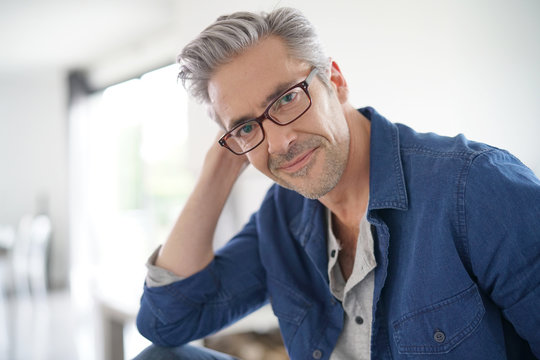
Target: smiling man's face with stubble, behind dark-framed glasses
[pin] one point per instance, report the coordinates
(308, 155)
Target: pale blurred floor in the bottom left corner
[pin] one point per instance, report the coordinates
(56, 328)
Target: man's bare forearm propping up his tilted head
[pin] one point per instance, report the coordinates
(188, 248)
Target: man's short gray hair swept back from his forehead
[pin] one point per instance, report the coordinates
(230, 35)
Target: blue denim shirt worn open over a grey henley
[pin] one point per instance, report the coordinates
(456, 226)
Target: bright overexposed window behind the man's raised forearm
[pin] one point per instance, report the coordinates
(135, 177)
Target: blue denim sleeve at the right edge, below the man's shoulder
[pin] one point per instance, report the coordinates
(502, 220)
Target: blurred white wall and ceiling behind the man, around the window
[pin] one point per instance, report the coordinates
(457, 66)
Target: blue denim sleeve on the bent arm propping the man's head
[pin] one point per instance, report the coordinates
(230, 287)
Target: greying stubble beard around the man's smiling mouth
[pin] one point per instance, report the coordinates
(335, 160)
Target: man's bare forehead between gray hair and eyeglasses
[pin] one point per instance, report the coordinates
(239, 89)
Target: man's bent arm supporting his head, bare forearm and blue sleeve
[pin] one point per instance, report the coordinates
(216, 289)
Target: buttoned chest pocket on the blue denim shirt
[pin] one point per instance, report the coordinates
(439, 328)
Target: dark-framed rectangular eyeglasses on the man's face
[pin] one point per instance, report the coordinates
(285, 109)
